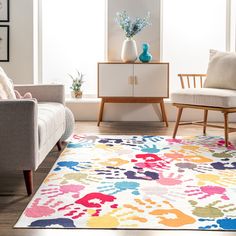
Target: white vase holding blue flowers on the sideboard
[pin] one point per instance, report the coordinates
(129, 51)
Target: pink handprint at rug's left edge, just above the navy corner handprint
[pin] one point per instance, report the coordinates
(46, 209)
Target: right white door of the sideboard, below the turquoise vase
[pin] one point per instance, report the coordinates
(151, 80)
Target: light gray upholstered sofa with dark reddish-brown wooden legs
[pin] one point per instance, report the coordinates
(29, 128)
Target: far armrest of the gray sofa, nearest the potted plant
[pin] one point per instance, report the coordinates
(44, 92)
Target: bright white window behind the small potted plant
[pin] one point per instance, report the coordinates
(73, 36)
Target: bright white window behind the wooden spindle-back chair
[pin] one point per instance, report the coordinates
(190, 29)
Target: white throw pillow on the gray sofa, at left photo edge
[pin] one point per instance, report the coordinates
(6, 86)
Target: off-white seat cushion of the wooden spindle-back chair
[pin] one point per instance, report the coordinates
(205, 97)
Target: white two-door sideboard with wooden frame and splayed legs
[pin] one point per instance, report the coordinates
(133, 83)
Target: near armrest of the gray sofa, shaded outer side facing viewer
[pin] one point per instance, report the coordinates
(18, 134)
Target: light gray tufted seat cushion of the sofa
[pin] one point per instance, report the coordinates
(51, 116)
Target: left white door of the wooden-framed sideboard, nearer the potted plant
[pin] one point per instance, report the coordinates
(113, 80)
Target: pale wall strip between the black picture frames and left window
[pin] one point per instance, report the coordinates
(23, 64)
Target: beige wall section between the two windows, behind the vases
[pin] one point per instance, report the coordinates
(135, 8)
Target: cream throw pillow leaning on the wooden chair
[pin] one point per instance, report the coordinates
(221, 71)
